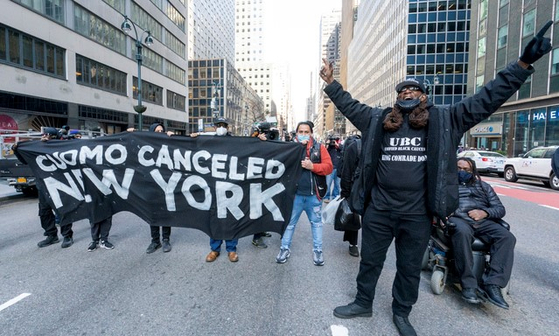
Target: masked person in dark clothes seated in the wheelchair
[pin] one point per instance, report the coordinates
(480, 214)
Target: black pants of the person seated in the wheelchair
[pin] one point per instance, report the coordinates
(502, 252)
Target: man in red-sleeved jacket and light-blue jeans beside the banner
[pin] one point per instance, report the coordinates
(311, 188)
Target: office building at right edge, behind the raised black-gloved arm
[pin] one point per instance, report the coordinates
(500, 31)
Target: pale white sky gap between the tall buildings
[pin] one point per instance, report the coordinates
(293, 37)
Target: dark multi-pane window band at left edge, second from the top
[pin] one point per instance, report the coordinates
(30, 53)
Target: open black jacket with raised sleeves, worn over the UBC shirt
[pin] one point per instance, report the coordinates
(446, 126)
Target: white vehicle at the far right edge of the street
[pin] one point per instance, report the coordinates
(534, 165)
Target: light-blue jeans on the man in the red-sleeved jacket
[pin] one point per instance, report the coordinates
(312, 207)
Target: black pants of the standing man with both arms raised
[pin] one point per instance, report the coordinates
(412, 235)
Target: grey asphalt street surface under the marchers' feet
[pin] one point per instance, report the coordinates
(128, 292)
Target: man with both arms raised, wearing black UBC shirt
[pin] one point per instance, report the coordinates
(409, 173)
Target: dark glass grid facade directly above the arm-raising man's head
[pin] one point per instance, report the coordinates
(438, 45)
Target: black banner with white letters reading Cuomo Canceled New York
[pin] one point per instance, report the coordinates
(227, 187)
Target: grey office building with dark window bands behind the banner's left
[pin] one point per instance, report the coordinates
(68, 62)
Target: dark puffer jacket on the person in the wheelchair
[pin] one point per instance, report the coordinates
(478, 195)
